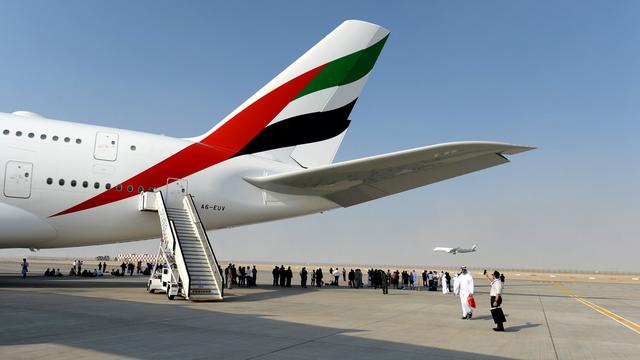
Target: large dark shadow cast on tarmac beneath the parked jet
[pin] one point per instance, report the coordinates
(179, 330)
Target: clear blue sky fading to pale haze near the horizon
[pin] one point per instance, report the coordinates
(560, 75)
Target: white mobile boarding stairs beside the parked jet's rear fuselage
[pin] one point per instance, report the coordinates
(185, 248)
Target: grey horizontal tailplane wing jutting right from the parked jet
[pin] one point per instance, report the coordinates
(356, 181)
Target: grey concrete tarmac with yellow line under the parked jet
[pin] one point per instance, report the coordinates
(115, 318)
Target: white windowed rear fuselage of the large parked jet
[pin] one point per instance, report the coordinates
(43, 173)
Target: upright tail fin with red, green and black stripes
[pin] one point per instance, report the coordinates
(303, 113)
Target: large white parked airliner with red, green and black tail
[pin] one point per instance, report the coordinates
(68, 184)
